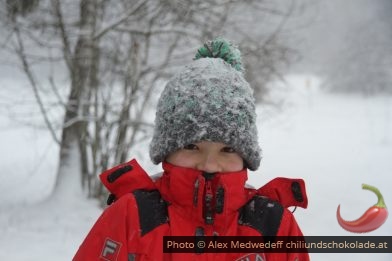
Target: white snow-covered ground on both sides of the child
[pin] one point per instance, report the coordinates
(334, 142)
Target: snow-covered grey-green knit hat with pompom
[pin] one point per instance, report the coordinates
(209, 100)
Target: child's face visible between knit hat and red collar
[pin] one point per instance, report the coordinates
(207, 156)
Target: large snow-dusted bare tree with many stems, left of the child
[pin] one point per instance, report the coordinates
(115, 54)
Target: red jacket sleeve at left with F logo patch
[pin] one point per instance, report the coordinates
(108, 238)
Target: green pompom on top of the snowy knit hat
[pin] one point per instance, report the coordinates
(221, 48)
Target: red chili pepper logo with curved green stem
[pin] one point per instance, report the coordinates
(372, 219)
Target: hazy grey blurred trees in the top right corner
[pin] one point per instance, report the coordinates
(359, 56)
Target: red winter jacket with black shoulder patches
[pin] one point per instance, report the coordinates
(186, 202)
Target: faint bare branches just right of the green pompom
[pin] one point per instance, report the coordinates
(259, 28)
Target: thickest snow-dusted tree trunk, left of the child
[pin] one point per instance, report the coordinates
(73, 155)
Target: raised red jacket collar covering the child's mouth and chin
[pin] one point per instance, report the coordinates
(207, 196)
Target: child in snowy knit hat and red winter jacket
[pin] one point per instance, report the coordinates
(206, 138)
